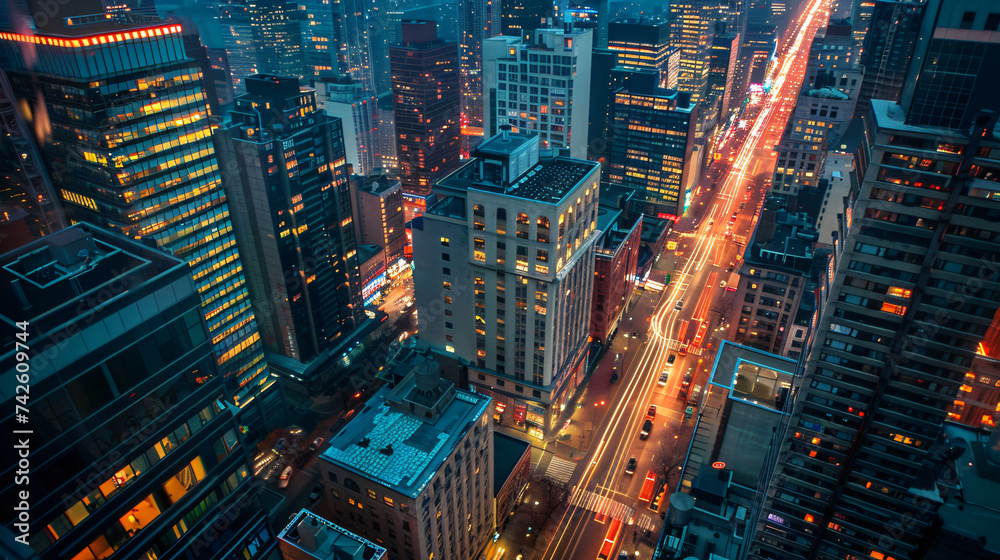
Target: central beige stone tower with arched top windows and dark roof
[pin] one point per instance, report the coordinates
(541, 212)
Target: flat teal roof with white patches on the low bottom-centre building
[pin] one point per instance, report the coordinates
(418, 448)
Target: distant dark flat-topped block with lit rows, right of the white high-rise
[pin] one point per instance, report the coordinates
(641, 44)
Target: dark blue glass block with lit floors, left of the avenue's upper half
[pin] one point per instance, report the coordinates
(652, 140)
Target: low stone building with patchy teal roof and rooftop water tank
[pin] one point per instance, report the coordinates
(413, 470)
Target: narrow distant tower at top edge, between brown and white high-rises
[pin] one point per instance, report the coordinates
(480, 20)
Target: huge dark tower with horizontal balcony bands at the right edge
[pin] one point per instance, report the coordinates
(857, 472)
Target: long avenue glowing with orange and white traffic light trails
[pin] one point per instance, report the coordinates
(687, 315)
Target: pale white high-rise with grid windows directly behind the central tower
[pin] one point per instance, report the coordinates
(532, 87)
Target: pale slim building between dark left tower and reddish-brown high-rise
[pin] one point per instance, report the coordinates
(344, 98)
